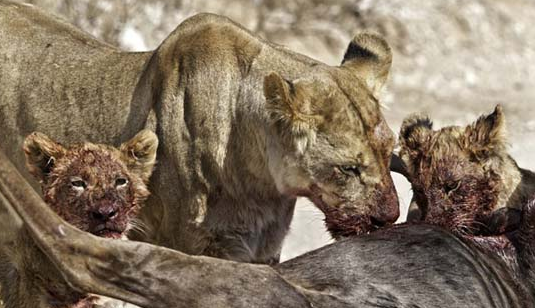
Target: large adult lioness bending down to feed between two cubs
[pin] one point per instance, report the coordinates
(245, 126)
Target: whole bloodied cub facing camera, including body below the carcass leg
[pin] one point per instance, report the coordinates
(96, 188)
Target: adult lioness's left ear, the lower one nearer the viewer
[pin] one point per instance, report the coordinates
(289, 111)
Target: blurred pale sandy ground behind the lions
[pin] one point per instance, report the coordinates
(453, 59)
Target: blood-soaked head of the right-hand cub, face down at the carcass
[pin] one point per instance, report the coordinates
(460, 175)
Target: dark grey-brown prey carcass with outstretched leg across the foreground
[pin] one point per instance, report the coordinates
(400, 266)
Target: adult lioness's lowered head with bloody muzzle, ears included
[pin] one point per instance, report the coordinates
(336, 145)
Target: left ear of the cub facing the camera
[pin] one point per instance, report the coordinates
(41, 153)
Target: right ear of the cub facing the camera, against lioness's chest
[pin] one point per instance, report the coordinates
(139, 153)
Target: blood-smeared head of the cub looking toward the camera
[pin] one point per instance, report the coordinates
(97, 188)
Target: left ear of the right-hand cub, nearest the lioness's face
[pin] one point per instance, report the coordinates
(414, 134)
